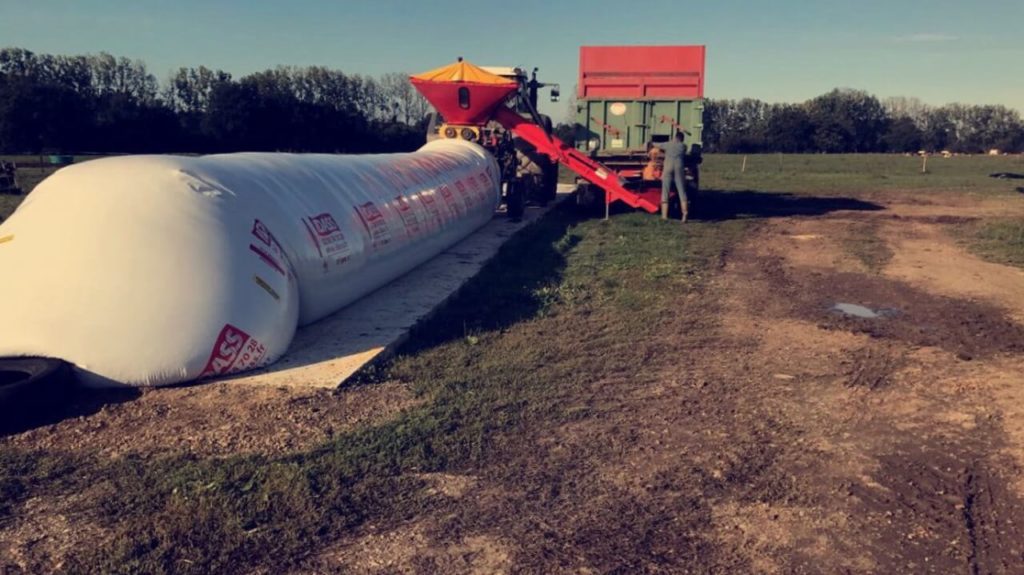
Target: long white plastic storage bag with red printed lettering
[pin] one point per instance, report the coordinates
(158, 270)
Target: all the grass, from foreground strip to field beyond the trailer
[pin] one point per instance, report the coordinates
(511, 361)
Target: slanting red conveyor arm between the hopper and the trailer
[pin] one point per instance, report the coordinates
(590, 170)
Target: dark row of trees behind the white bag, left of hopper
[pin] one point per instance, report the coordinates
(104, 104)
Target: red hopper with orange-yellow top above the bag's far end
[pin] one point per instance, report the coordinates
(464, 94)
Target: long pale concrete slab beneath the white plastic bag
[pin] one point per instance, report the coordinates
(327, 353)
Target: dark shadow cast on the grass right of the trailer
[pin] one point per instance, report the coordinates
(718, 206)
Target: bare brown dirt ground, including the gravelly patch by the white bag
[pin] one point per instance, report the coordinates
(774, 435)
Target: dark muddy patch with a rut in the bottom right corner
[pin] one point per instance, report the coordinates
(942, 507)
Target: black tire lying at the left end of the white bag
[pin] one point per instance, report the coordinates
(28, 384)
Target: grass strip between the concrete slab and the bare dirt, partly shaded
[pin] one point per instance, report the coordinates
(570, 303)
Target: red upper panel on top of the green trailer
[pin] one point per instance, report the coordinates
(642, 72)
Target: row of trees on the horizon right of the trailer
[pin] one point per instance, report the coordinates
(852, 121)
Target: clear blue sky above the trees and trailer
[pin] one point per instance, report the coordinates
(783, 51)
